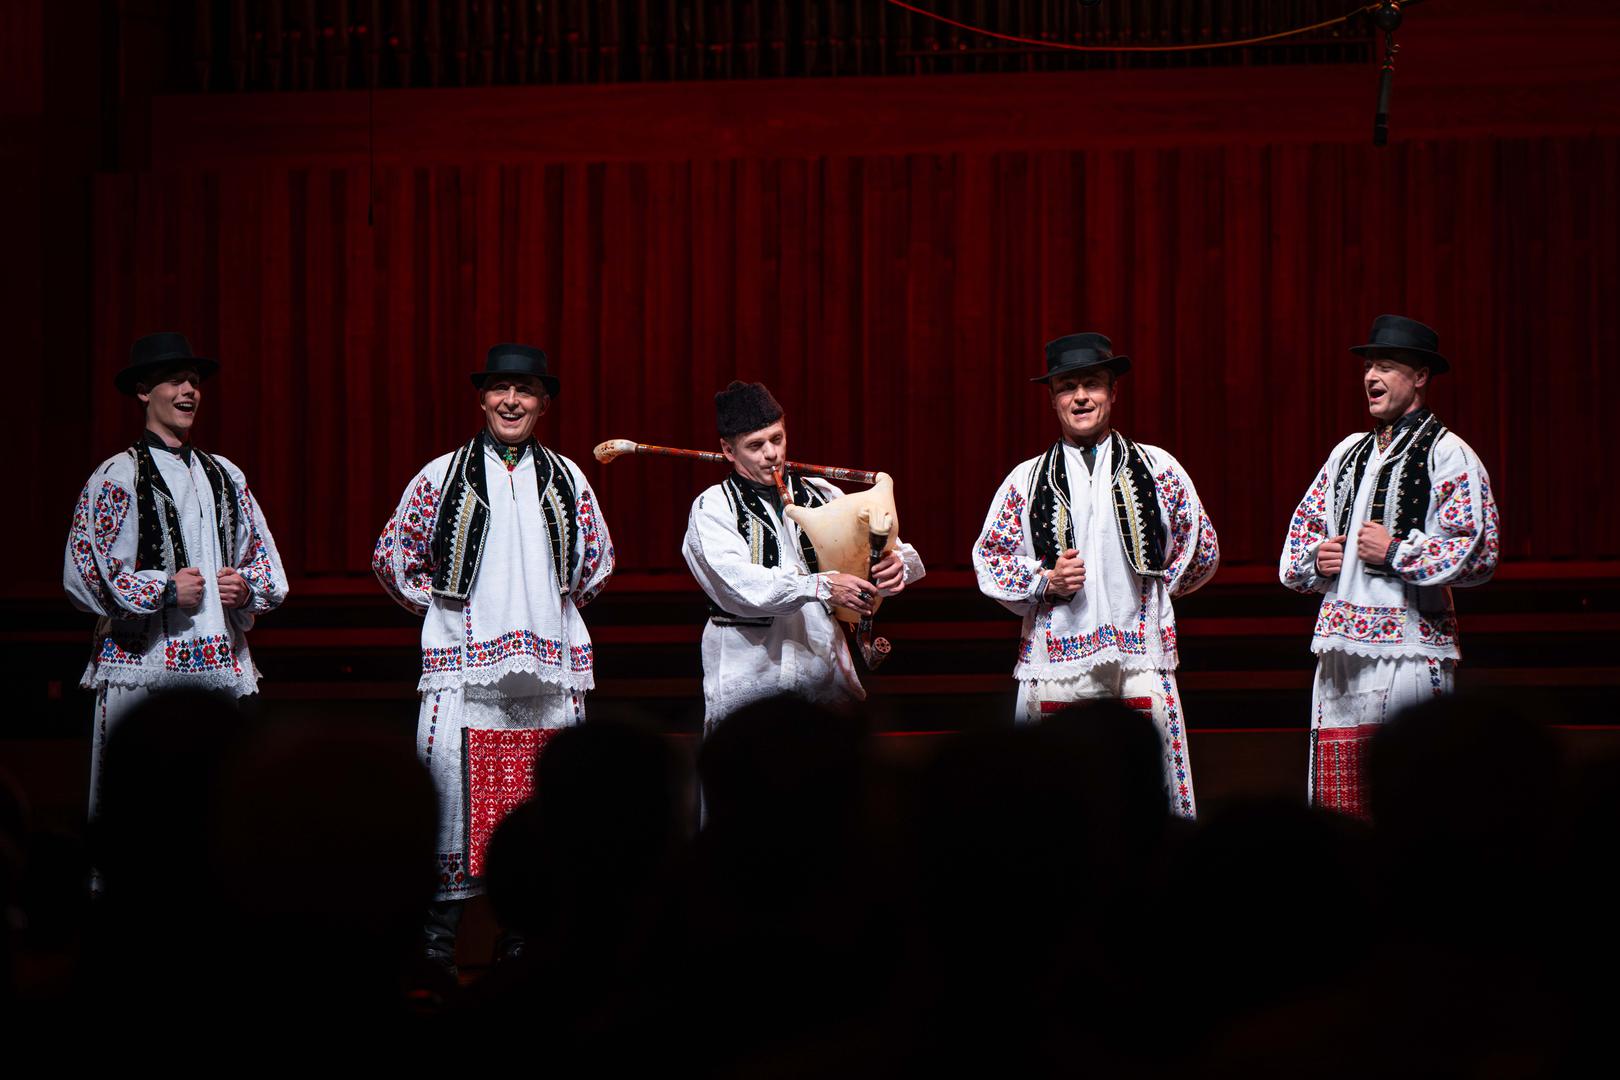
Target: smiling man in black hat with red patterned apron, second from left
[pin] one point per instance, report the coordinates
(500, 572)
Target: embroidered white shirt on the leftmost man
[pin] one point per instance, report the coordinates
(140, 642)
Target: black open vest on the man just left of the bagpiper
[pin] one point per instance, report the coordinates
(464, 519)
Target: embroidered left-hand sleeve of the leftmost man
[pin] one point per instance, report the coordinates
(101, 550)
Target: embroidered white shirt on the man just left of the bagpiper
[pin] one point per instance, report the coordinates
(514, 619)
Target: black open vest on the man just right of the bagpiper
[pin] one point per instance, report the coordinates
(1135, 500)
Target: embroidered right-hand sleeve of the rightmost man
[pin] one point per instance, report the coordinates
(1462, 538)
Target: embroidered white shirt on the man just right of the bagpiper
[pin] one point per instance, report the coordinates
(1117, 618)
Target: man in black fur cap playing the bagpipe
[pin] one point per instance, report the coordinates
(770, 629)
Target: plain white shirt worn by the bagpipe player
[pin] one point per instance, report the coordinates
(803, 650)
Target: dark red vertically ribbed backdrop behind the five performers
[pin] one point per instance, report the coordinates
(895, 304)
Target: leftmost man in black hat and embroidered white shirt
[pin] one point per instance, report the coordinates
(171, 551)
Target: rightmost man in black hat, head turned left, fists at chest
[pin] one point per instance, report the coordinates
(1394, 521)
